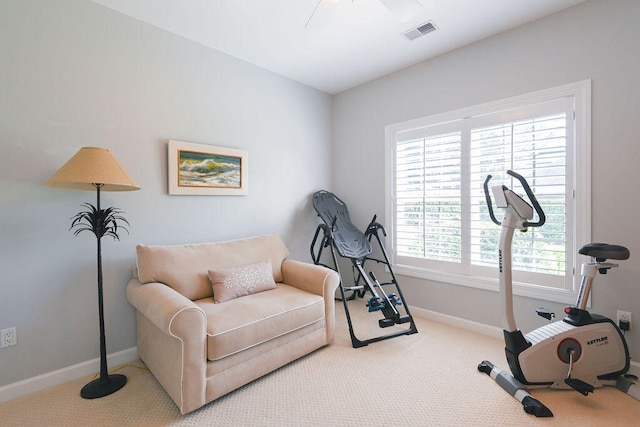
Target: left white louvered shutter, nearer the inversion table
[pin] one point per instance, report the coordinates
(428, 192)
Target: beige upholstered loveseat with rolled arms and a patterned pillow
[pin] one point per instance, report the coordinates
(200, 349)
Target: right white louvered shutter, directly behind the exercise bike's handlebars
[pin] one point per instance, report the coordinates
(533, 143)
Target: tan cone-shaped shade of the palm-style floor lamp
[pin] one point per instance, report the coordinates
(91, 166)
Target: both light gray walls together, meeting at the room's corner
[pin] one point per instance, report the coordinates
(73, 74)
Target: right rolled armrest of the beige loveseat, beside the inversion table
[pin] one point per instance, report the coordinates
(315, 279)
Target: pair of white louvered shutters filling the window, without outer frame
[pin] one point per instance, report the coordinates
(440, 209)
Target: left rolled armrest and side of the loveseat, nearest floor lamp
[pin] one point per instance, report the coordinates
(172, 341)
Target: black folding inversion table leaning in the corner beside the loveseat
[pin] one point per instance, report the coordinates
(339, 233)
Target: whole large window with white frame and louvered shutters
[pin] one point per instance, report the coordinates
(436, 166)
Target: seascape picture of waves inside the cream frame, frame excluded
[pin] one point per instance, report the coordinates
(209, 170)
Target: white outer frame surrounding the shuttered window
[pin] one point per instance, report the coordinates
(578, 162)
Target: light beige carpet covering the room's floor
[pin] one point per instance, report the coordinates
(424, 379)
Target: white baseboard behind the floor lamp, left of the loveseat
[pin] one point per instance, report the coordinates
(50, 379)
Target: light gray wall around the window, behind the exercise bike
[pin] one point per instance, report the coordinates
(595, 40)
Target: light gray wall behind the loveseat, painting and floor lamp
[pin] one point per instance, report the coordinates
(73, 74)
